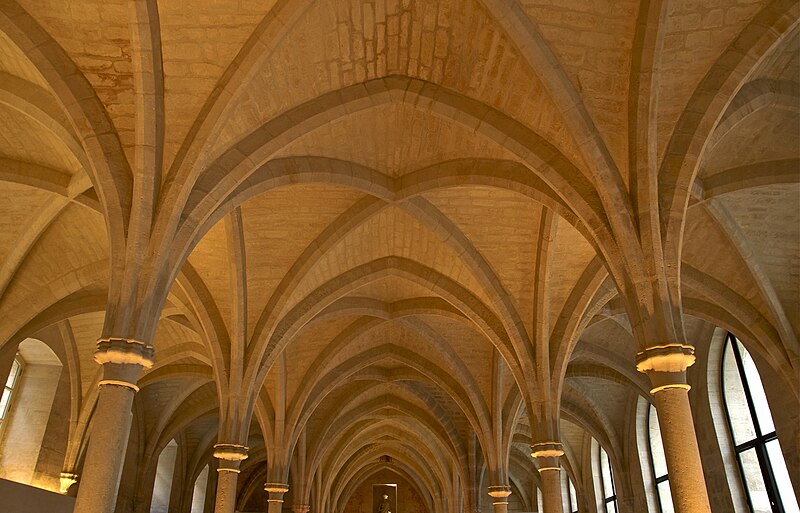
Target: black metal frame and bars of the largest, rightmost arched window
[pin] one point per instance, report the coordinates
(759, 443)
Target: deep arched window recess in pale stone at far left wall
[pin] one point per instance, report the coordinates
(28, 405)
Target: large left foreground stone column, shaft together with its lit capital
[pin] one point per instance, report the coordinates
(122, 361)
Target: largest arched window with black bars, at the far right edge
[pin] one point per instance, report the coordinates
(758, 451)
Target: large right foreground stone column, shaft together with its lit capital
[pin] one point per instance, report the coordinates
(666, 367)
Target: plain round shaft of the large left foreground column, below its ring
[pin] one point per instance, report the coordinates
(102, 469)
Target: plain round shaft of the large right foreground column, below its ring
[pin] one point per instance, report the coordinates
(686, 479)
